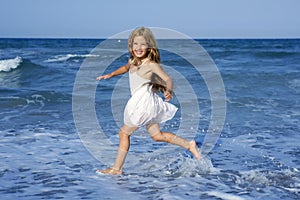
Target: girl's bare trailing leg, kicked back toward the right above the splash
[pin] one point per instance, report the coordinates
(159, 136)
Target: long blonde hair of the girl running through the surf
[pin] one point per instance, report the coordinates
(153, 52)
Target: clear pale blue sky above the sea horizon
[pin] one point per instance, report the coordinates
(195, 18)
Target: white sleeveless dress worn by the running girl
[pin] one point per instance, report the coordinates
(145, 107)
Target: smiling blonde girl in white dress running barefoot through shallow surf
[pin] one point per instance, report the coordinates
(145, 107)
